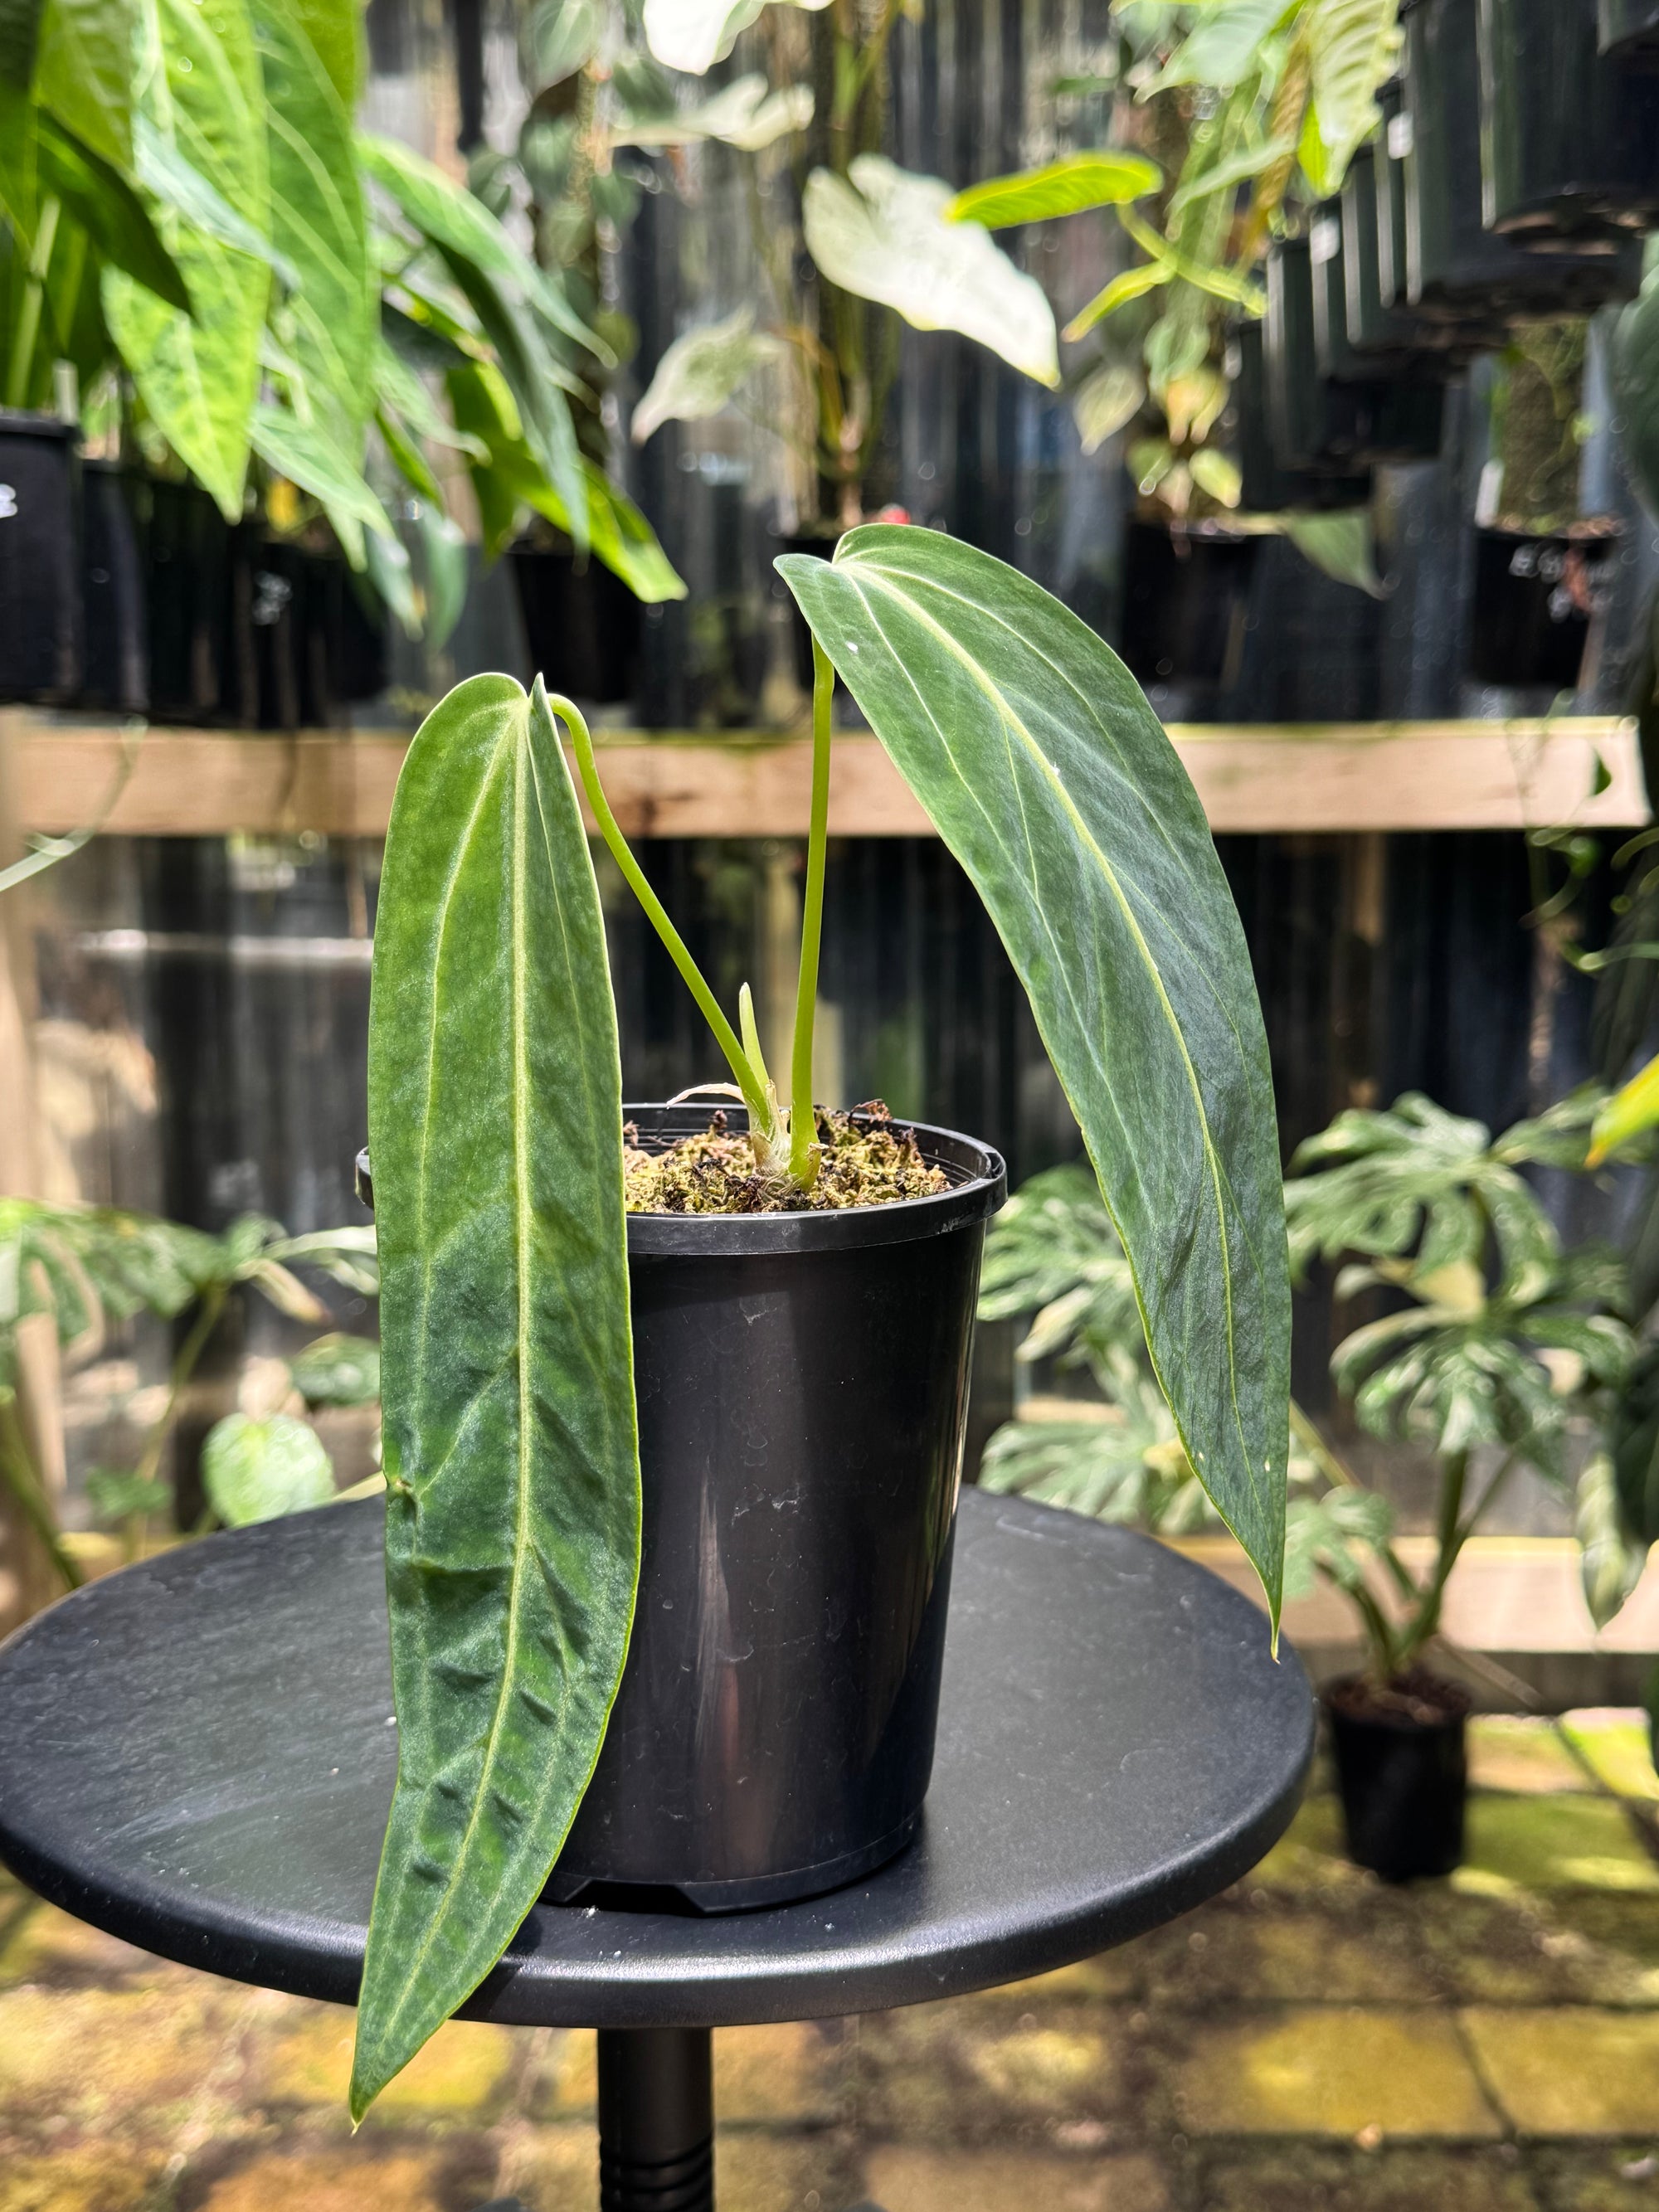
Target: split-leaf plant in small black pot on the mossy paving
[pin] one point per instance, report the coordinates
(1507, 1353)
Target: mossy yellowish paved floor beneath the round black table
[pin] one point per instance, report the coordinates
(1311, 2043)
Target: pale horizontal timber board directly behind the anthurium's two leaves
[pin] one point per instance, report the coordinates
(1346, 778)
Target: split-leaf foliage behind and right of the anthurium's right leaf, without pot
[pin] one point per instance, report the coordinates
(1501, 1353)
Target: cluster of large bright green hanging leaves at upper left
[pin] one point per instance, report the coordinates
(200, 244)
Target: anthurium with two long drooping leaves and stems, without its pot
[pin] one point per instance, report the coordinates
(499, 1176)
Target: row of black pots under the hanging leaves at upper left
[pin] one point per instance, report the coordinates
(132, 594)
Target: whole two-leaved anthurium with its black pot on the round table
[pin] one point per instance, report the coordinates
(676, 1404)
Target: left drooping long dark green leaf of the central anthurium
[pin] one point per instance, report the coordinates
(508, 1361)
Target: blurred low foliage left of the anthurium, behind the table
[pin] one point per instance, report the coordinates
(85, 1266)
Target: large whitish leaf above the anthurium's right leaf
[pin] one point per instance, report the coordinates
(884, 233)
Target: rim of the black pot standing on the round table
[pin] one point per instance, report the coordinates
(979, 1189)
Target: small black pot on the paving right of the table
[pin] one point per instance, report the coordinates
(1404, 1788)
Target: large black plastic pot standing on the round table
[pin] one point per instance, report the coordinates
(802, 1388)
